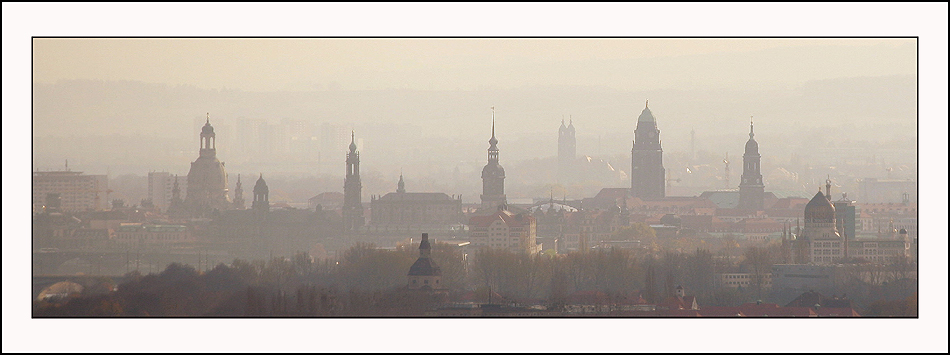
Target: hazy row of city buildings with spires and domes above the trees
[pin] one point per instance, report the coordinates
(749, 212)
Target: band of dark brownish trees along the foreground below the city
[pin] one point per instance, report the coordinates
(367, 280)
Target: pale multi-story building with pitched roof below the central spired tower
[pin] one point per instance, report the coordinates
(504, 230)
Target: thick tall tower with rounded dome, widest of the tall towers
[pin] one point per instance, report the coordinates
(647, 175)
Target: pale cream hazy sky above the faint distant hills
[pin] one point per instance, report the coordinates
(448, 64)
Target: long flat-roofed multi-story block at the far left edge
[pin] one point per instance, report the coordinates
(77, 192)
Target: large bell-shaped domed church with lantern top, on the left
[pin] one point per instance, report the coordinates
(207, 179)
